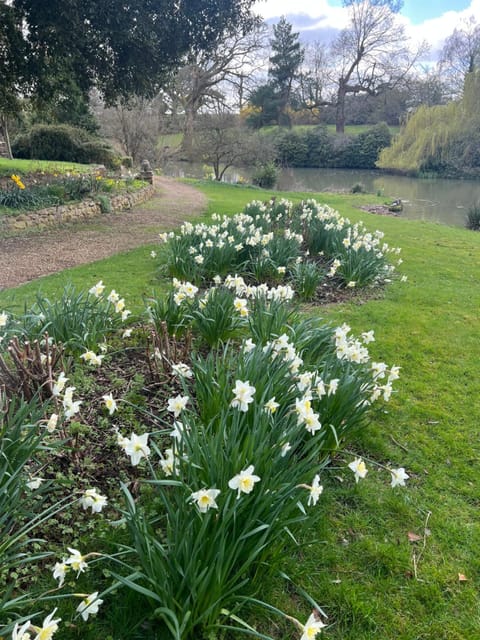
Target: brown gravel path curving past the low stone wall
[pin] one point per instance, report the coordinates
(28, 256)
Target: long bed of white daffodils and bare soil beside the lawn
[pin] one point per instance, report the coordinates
(203, 427)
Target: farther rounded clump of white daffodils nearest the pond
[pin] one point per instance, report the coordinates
(268, 241)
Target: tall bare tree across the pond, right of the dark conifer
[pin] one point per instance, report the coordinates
(371, 54)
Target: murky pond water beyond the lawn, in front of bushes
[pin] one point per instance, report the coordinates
(433, 199)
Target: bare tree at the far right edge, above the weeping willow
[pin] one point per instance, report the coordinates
(461, 54)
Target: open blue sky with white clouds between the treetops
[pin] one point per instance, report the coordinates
(430, 20)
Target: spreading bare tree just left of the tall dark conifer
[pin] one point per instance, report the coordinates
(206, 80)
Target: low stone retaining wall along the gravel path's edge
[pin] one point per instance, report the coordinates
(77, 212)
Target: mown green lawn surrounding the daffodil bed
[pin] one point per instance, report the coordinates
(359, 564)
